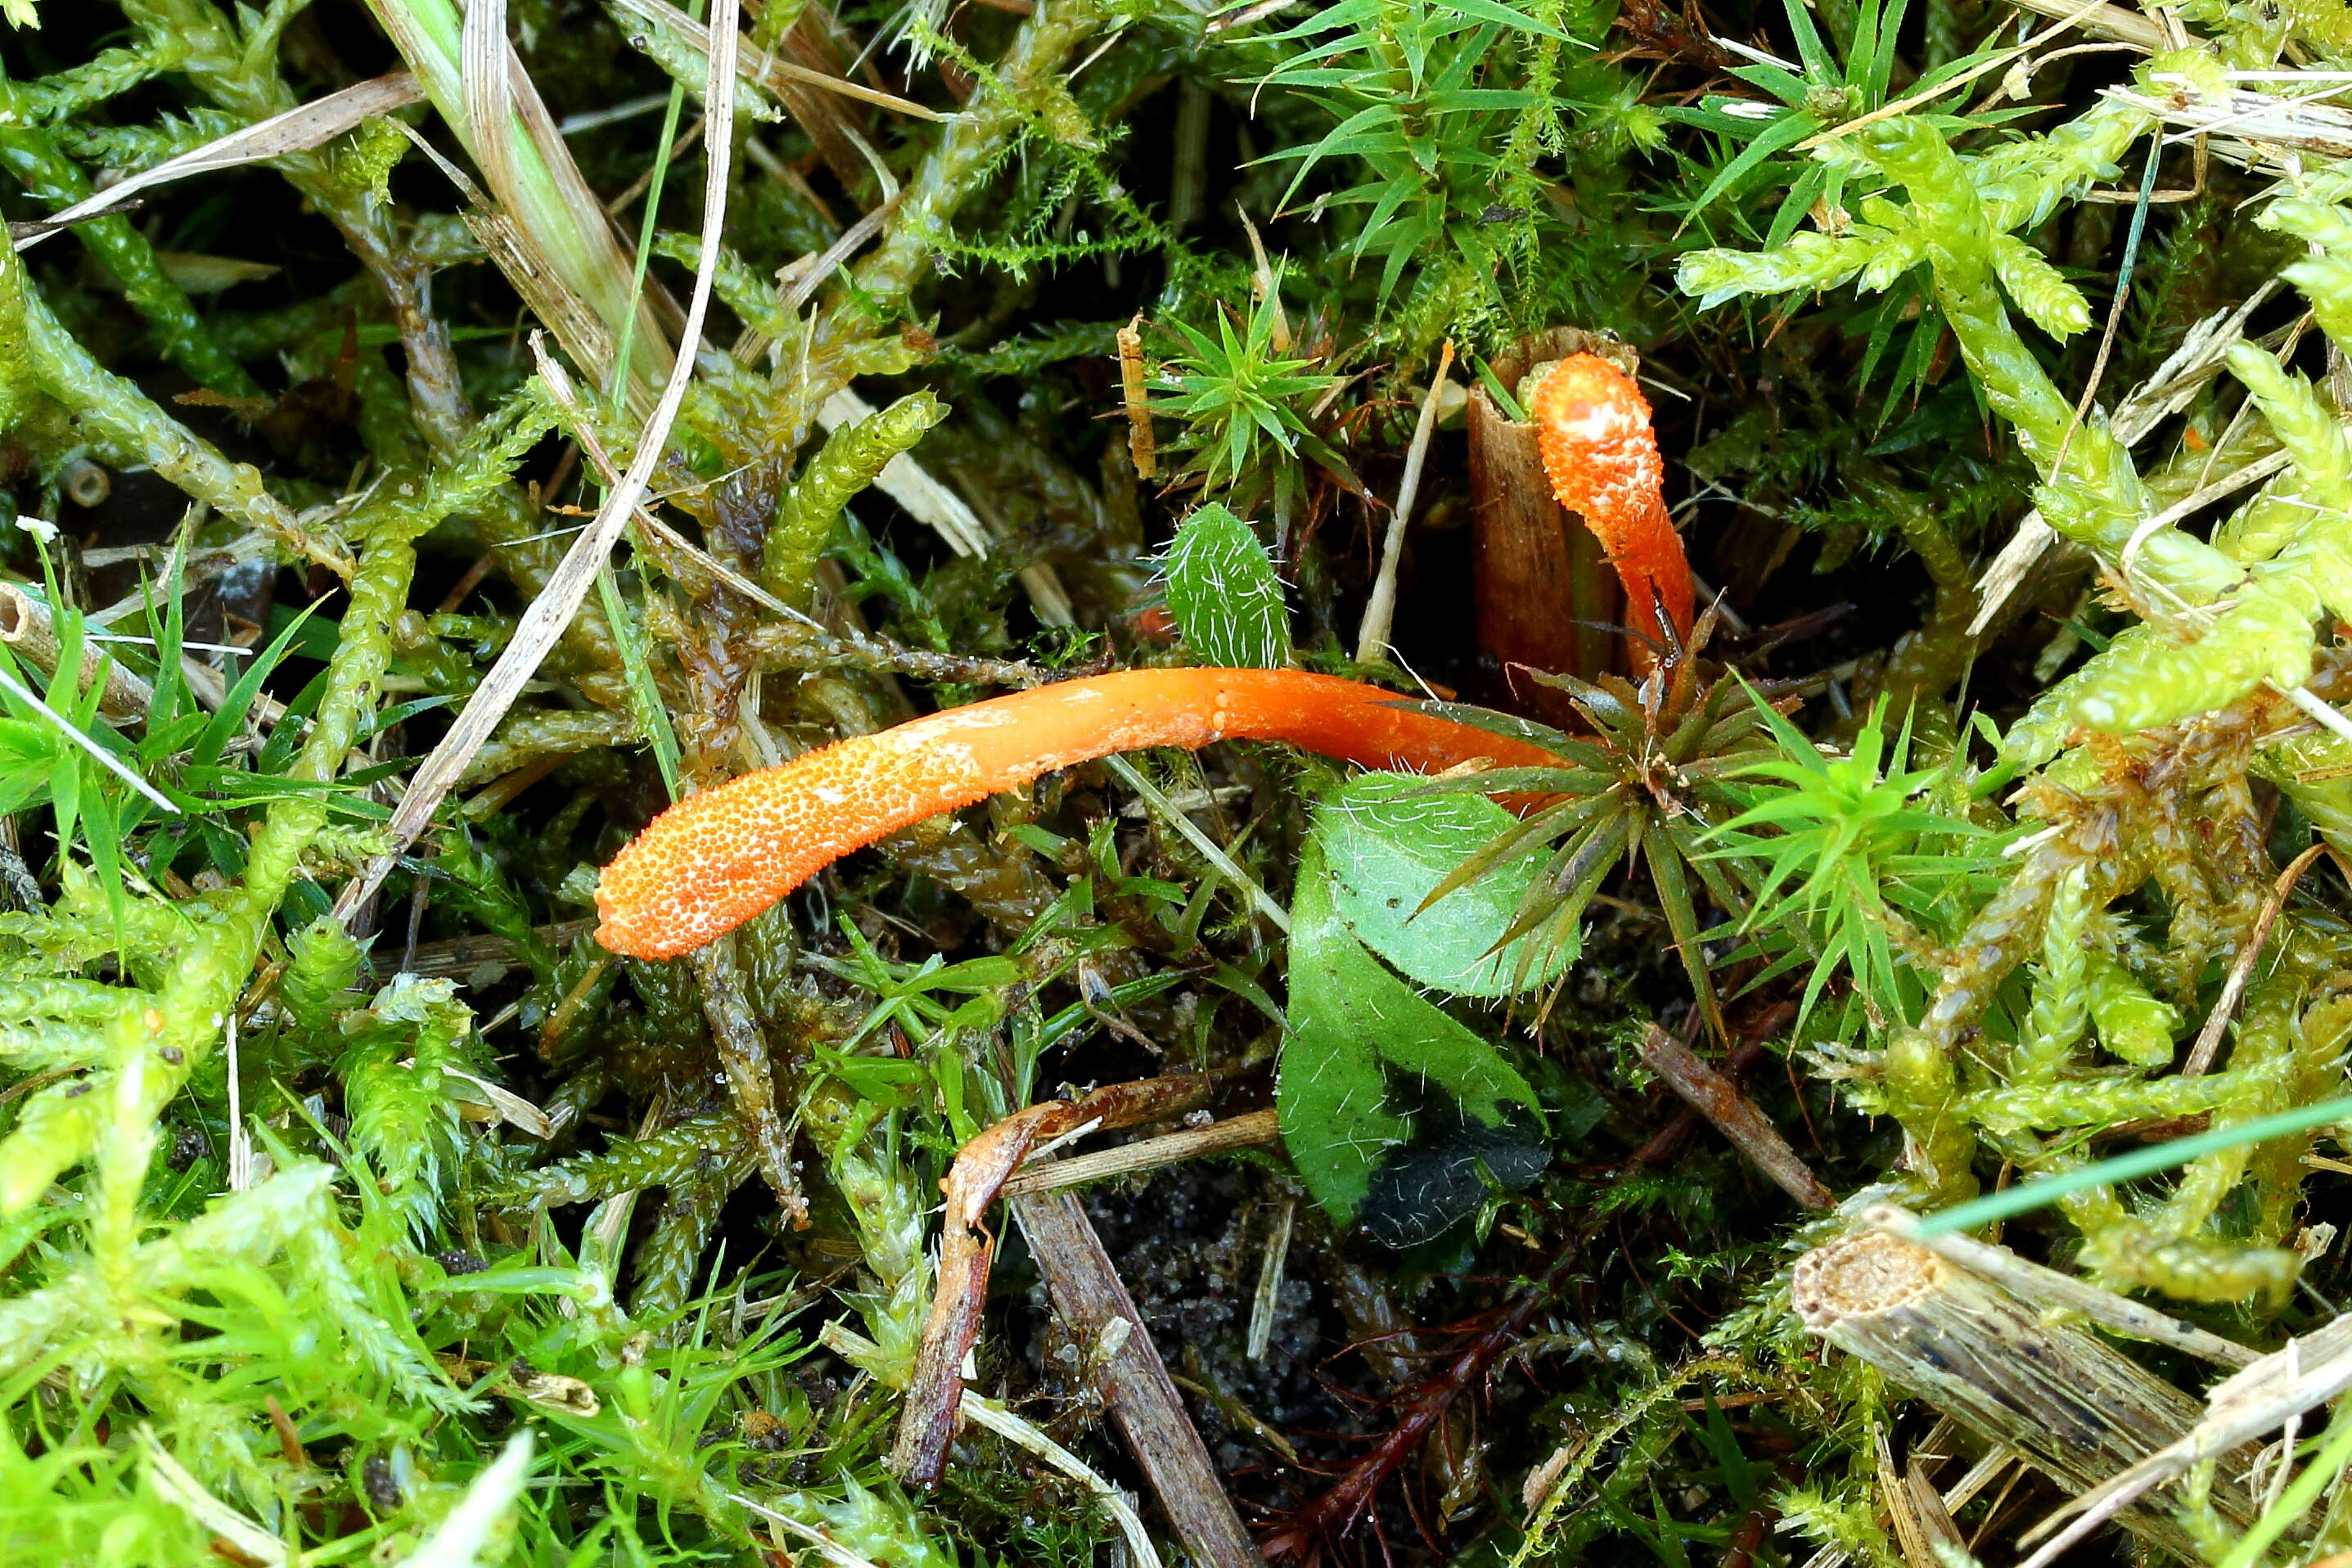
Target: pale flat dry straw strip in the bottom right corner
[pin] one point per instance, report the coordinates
(2273, 1393)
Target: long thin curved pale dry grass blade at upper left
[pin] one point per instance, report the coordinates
(547, 617)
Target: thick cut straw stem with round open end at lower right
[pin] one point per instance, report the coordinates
(2064, 1400)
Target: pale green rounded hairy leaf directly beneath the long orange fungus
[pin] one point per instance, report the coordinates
(1391, 843)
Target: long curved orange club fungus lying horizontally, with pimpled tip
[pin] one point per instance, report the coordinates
(723, 857)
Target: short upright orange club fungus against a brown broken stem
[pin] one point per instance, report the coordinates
(1603, 460)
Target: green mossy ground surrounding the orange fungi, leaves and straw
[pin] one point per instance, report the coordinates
(286, 1278)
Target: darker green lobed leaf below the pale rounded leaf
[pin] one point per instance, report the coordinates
(1394, 1113)
